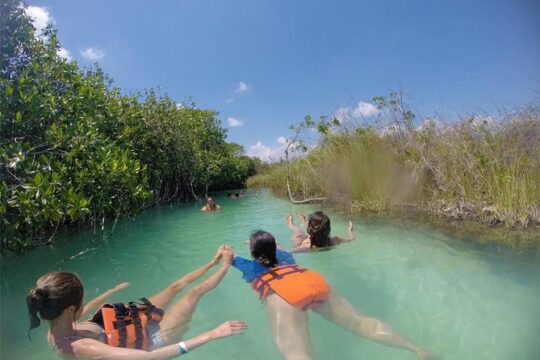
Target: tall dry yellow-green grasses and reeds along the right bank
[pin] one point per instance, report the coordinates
(478, 176)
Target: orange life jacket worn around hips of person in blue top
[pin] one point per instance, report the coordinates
(300, 287)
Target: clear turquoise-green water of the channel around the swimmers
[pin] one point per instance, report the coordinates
(453, 298)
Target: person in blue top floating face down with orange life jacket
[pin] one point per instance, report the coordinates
(289, 291)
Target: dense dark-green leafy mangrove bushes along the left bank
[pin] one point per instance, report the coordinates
(75, 150)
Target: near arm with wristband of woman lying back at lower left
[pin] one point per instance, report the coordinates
(89, 348)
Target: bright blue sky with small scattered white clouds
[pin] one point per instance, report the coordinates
(266, 64)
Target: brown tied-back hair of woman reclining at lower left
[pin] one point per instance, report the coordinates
(53, 293)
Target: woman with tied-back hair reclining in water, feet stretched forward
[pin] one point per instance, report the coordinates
(125, 331)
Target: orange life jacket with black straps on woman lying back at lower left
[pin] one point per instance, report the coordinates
(125, 325)
